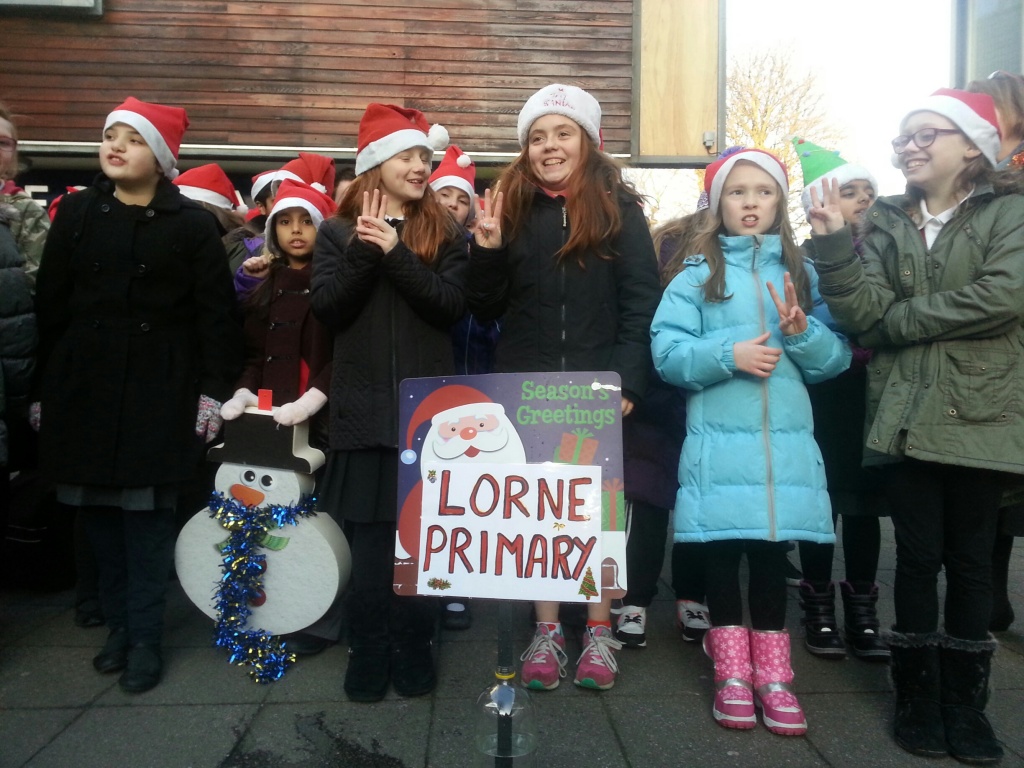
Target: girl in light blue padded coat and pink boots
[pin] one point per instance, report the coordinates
(750, 472)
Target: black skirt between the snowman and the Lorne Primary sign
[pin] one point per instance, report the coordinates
(361, 486)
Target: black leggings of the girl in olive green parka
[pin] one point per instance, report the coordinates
(944, 517)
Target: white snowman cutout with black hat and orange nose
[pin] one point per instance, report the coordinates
(267, 470)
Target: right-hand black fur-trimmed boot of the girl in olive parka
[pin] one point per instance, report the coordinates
(966, 668)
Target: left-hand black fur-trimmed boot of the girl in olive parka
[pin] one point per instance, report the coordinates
(918, 720)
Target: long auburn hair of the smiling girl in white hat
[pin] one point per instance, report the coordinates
(592, 200)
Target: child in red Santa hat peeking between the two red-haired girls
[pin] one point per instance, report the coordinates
(454, 182)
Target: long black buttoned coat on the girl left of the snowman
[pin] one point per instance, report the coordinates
(137, 319)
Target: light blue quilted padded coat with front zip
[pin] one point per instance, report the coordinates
(750, 467)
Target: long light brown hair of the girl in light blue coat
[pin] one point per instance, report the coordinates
(705, 241)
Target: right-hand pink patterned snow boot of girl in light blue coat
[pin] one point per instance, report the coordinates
(773, 675)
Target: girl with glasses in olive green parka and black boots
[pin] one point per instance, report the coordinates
(936, 293)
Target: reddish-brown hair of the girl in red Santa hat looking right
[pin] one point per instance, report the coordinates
(429, 225)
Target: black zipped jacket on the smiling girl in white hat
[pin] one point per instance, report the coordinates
(560, 316)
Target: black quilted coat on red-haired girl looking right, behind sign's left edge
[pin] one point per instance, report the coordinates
(392, 317)
